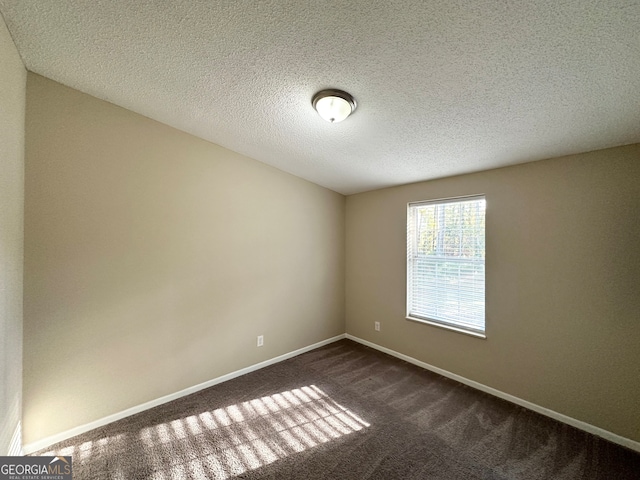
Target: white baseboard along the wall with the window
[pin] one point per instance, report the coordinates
(587, 427)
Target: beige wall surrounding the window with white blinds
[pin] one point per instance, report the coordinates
(562, 273)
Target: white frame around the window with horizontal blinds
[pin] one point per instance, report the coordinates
(409, 283)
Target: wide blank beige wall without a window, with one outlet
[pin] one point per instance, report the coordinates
(153, 259)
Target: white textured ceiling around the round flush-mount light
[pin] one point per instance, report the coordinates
(443, 87)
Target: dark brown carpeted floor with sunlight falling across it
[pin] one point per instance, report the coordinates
(343, 411)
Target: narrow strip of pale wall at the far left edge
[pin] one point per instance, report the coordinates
(12, 97)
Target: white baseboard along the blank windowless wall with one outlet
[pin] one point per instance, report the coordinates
(59, 437)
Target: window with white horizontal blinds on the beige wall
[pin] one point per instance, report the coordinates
(445, 263)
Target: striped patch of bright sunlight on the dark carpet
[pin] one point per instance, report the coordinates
(229, 441)
